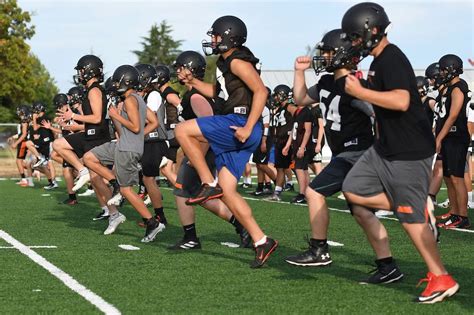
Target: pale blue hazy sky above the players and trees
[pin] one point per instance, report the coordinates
(278, 31)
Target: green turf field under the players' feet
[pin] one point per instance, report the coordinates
(214, 280)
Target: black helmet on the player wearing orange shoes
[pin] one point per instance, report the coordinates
(359, 22)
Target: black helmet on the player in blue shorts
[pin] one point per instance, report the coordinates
(231, 30)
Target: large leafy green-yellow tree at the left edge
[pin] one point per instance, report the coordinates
(24, 79)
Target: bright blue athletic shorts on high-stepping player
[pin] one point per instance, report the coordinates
(228, 150)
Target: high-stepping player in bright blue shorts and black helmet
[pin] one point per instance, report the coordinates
(235, 132)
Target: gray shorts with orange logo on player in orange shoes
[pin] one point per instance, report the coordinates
(405, 183)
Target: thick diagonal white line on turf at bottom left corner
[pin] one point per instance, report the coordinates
(69, 281)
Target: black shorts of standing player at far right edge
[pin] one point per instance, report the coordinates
(454, 157)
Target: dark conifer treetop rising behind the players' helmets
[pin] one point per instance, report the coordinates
(159, 47)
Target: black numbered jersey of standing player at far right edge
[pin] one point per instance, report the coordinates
(458, 131)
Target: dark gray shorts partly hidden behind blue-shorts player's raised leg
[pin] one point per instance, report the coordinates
(188, 182)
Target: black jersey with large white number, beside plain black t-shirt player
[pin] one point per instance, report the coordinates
(347, 128)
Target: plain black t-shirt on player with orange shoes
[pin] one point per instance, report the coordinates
(402, 135)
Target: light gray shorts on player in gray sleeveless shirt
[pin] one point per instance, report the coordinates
(126, 163)
